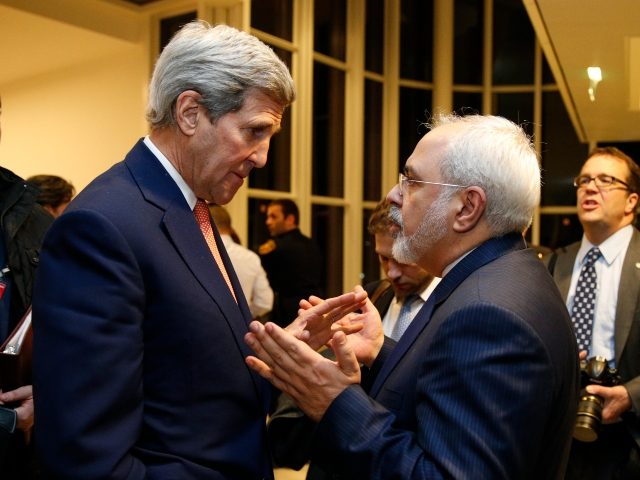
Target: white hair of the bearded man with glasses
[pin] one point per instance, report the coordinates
(497, 155)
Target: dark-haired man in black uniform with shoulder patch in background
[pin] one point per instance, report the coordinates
(292, 261)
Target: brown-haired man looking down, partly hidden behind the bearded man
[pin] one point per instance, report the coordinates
(290, 431)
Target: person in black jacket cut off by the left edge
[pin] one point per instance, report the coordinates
(23, 224)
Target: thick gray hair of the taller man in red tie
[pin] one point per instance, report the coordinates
(220, 63)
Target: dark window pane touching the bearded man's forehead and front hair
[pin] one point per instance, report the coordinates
(415, 107)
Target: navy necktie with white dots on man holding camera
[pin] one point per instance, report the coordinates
(584, 300)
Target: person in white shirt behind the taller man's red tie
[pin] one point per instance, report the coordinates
(252, 277)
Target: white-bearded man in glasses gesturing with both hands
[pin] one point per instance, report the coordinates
(483, 383)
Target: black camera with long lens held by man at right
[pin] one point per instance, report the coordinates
(595, 371)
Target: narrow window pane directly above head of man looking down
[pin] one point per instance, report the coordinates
(372, 178)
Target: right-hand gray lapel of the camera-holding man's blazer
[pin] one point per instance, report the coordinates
(628, 292)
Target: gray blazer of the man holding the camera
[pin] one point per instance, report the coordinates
(627, 325)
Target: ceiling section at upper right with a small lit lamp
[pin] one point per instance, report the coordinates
(576, 34)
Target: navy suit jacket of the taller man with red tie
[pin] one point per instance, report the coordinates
(138, 348)
